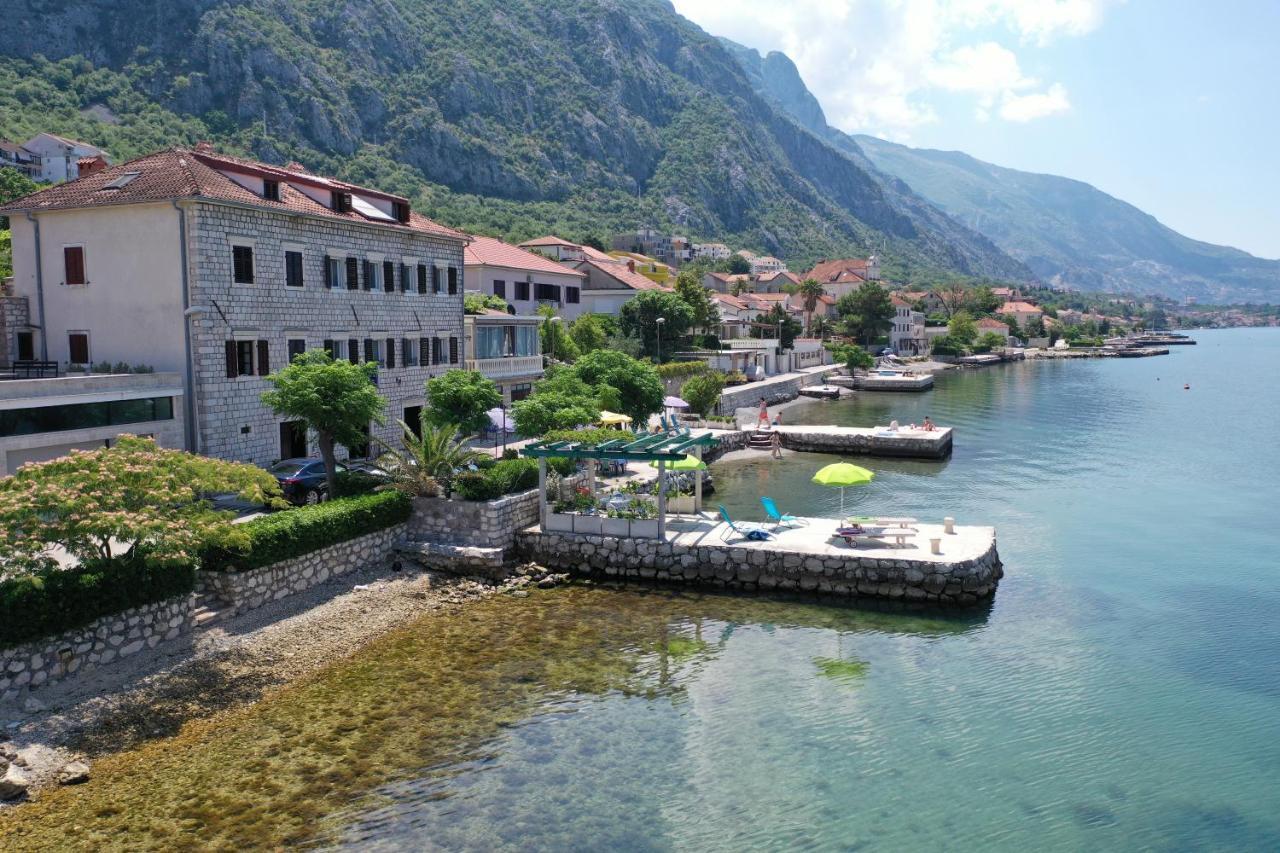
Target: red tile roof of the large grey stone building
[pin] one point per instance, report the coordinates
(181, 174)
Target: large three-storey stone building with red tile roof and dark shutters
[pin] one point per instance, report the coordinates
(221, 271)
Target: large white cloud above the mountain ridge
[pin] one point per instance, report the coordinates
(889, 66)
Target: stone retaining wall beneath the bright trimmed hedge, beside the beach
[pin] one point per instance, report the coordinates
(246, 591)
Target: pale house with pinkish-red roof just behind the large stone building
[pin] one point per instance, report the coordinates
(525, 280)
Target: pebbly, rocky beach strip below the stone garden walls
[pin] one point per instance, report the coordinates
(53, 738)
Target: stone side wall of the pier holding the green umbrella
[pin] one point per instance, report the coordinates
(752, 569)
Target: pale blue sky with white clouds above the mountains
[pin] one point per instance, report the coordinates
(1172, 106)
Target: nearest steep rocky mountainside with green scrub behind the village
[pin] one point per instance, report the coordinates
(506, 117)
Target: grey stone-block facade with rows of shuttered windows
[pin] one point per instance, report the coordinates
(232, 419)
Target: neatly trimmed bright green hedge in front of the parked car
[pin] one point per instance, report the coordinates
(309, 528)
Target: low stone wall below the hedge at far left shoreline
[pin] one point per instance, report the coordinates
(97, 645)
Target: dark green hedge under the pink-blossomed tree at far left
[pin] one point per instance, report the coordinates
(60, 600)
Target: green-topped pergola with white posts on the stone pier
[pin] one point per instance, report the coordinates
(664, 449)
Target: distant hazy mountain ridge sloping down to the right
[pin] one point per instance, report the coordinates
(1068, 232)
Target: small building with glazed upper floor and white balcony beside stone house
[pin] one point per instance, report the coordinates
(508, 349)
